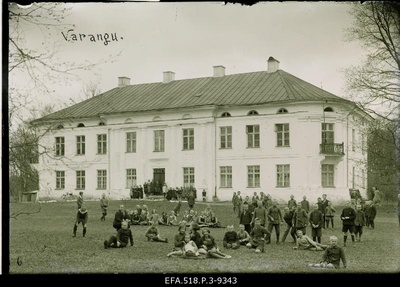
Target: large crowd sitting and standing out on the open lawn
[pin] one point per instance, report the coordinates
(258, 217)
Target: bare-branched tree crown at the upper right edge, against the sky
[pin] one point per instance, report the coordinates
(375, 85)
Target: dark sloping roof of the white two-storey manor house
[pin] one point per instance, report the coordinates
(231, 90)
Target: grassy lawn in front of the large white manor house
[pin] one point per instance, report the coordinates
(42, 243)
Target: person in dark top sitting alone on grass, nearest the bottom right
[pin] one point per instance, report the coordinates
(332, 256)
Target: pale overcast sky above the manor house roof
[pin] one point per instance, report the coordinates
(189, 38)
